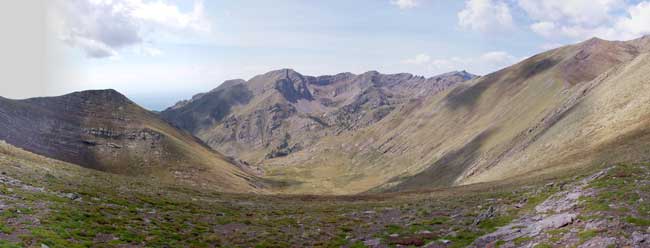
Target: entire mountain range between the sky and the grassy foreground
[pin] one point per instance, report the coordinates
(371, 132)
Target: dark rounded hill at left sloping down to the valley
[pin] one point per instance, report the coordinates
(104, 130)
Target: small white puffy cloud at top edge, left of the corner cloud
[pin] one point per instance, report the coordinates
(485, 16)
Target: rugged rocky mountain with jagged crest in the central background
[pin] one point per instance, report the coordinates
(282, 112)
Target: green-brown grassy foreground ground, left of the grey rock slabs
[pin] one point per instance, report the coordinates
(49, 202)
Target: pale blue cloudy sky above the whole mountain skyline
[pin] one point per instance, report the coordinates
(158, 52)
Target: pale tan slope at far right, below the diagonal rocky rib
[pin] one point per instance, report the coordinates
(609, 125)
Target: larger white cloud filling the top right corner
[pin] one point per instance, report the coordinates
(582, 19)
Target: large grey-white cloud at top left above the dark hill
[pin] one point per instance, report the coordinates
(102, 27)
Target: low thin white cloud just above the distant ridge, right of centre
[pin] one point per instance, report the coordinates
(481, 64)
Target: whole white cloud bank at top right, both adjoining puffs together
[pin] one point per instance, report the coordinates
(561, 20)
